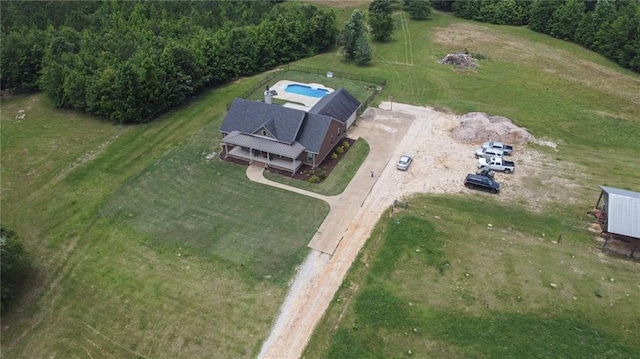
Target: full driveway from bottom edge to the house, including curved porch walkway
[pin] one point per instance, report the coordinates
(340, 236)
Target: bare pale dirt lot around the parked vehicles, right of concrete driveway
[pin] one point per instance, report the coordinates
(443, 154)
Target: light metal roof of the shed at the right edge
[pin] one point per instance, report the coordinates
(623, 211)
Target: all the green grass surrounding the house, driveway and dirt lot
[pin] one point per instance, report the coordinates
(144, 248)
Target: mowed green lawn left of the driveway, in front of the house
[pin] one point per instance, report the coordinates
(143, 246)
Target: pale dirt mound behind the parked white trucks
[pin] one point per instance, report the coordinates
(476, 127)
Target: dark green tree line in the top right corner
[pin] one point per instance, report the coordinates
(608, 27)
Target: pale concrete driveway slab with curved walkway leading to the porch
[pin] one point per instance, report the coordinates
(382, 133)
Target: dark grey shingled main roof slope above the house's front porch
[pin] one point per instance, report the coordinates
(249, 116)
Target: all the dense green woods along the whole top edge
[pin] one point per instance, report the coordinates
(129, 62)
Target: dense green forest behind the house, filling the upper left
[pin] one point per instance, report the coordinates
(131, 61)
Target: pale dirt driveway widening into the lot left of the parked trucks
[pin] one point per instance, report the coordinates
(439, 166)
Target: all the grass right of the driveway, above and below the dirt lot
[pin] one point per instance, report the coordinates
(450, 286)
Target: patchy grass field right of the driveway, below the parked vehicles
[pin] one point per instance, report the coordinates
(439, 282)
